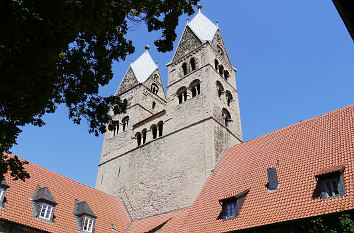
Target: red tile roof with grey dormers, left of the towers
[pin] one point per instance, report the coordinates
(19, 206)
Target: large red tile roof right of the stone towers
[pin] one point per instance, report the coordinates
(298, 153)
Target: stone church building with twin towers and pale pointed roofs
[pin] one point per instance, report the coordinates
(162, 150)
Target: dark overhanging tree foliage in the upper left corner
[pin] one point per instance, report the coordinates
(61, 52)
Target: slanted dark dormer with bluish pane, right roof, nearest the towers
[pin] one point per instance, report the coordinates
(231, 206)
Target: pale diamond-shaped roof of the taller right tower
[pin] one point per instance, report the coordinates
(202, 27)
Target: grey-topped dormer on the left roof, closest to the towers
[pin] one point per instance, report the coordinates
(84, 217)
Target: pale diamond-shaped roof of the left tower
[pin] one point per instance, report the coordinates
(143, 67)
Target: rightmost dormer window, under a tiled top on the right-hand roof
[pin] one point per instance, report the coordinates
(331, 182)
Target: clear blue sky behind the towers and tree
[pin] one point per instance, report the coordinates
(295, 60)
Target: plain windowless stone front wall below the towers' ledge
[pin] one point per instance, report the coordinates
(165, 174)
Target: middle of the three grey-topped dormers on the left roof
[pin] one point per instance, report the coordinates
(43, 204)
